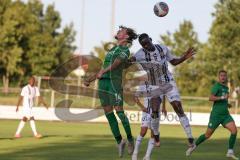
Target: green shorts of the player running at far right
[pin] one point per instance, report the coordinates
(216, 120)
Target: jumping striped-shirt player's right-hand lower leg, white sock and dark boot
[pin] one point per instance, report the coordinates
(177, 106)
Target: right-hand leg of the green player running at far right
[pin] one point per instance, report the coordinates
(233, 130)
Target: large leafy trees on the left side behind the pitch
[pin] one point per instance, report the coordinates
(31, 42)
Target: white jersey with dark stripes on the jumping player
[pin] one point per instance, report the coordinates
(156, 64)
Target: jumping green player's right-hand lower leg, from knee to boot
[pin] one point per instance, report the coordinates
(127, 128)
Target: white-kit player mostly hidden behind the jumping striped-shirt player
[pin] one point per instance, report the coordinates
(146, 124)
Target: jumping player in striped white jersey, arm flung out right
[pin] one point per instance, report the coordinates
(154, 59)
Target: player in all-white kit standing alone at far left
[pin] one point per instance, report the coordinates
(28, 94)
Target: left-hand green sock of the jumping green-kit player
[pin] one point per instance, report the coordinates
(114, 126)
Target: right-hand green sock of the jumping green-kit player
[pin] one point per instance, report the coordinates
(126, 125)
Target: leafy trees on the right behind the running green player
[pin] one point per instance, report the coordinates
(220, 52)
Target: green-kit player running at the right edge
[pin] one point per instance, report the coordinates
(219, 115)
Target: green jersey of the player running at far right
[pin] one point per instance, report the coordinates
(220, 107)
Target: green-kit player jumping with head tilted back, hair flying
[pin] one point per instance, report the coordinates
(110, 88)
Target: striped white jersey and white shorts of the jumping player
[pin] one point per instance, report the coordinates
(156, 65)
